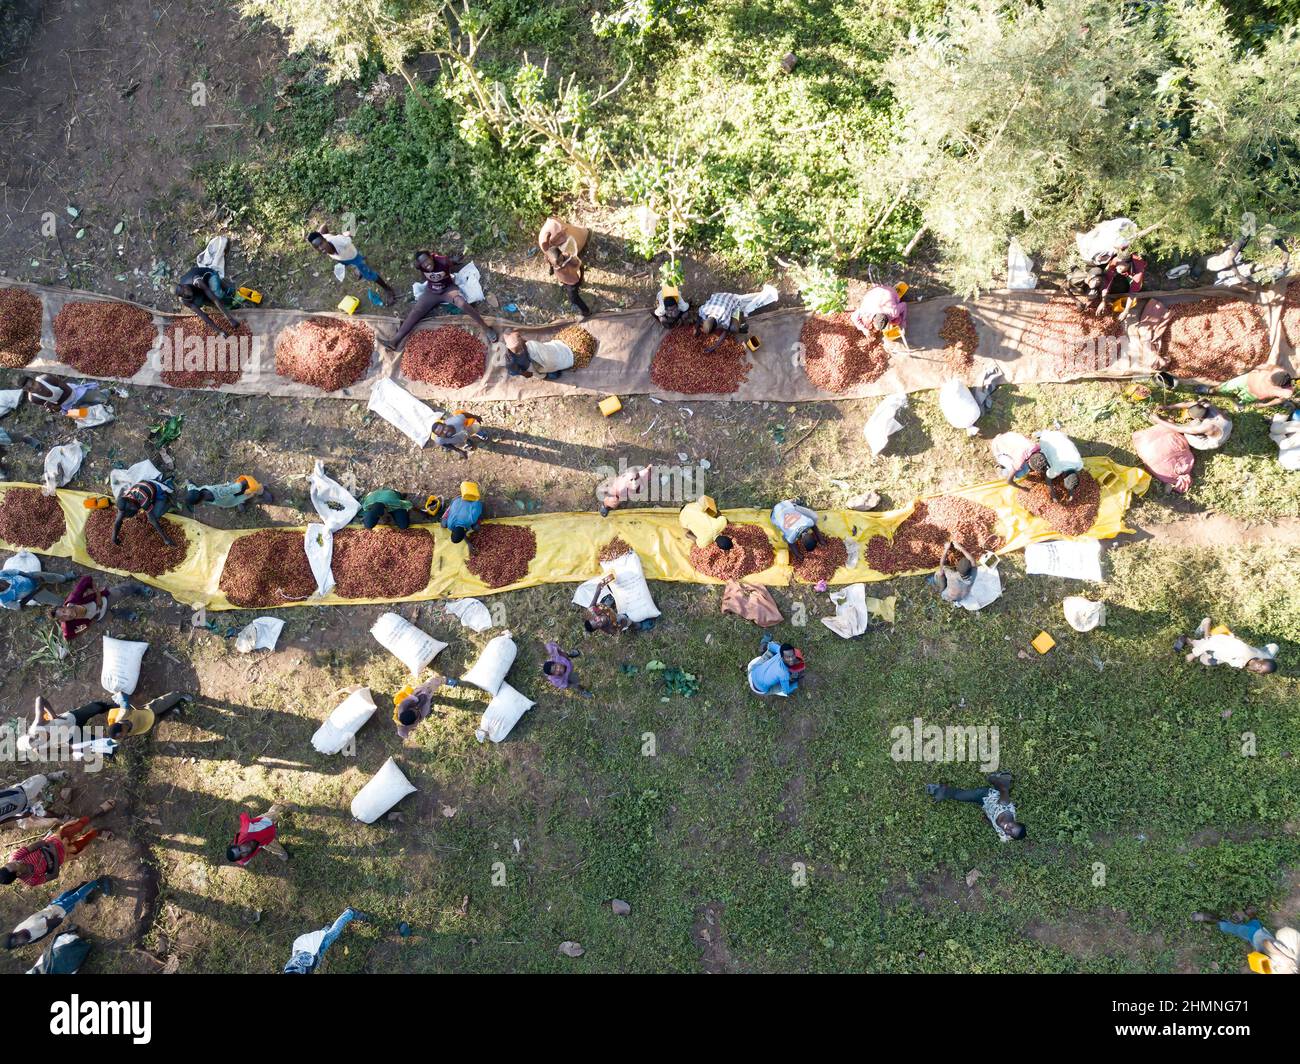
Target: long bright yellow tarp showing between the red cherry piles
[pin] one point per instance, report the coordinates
(569, 544)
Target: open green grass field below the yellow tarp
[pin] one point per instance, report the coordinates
(1123, 756)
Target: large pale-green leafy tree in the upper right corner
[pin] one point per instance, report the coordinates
(1035, 119)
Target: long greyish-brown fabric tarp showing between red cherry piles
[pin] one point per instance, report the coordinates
(1011, 338)
